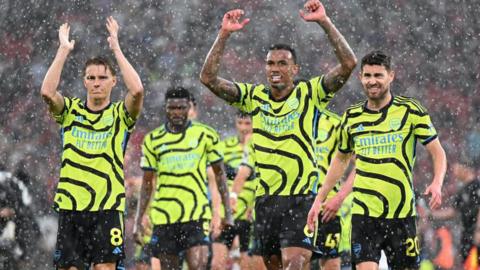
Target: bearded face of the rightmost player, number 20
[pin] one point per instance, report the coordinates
(376, 80)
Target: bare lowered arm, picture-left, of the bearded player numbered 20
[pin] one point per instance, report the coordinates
(335, 171)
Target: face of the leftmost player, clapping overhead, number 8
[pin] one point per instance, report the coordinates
(99, 82)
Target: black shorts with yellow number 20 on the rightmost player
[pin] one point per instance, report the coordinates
(396, 237)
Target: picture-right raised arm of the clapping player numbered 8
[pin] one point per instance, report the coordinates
(134, 98)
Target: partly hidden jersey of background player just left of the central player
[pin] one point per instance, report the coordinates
(235, 155)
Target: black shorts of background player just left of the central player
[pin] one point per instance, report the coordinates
(242, 228)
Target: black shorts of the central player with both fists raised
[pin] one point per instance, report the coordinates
(281, 221)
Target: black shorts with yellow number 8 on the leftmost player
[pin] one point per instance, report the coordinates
(89, 237)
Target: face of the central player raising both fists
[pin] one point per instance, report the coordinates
(281, 69)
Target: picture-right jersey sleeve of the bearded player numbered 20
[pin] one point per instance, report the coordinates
(422, 124)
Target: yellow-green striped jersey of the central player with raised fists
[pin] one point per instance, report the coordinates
(283, 135)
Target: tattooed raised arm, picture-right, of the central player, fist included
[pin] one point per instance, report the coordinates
(338, 76)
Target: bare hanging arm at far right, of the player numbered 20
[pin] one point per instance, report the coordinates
(439, 160)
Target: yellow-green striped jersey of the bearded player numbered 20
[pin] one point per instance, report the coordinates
(384, 143)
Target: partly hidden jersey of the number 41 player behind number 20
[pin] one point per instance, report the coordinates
(326, 145)
